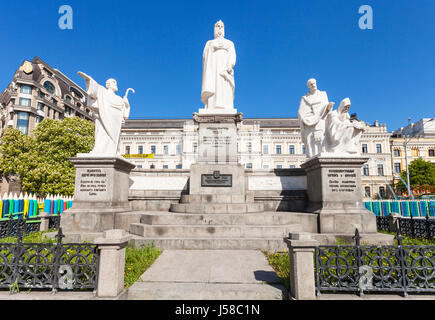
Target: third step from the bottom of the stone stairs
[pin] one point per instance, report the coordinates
(306, 220)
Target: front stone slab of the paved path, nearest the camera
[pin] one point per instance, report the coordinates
(205, 291)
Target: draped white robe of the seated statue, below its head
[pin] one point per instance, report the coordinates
(342, 137)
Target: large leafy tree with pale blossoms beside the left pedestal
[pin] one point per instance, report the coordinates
(41, 160)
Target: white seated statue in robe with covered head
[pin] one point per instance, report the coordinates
(343, 133)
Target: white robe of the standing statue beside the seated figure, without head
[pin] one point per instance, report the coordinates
(311, 114)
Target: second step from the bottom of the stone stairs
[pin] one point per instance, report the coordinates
(213, 231)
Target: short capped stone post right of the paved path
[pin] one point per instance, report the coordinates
(301, 251)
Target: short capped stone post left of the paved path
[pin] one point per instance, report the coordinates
(112, 263)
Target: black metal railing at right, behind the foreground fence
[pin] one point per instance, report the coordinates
(420, 228)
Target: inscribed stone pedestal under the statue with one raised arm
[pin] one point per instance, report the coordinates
(101, 191)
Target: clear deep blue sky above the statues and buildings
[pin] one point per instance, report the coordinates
(156, 48)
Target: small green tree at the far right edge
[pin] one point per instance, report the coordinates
(420, 173)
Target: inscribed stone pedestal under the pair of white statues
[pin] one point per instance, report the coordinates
(334, 193)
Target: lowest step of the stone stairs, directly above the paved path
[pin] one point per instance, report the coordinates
(269, 244)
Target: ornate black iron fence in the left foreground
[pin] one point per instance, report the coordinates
(55, 266)
